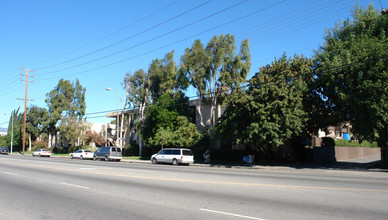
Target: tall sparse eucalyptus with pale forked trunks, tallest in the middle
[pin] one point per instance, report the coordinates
(216, 70)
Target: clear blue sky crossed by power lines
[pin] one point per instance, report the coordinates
(98, 42)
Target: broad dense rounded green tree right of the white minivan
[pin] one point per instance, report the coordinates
(271, 111)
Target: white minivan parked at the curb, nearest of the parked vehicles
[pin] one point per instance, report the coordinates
(174, 156)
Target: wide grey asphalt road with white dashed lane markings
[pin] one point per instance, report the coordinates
(54, 188)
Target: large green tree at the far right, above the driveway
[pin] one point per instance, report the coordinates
(352, 74)
